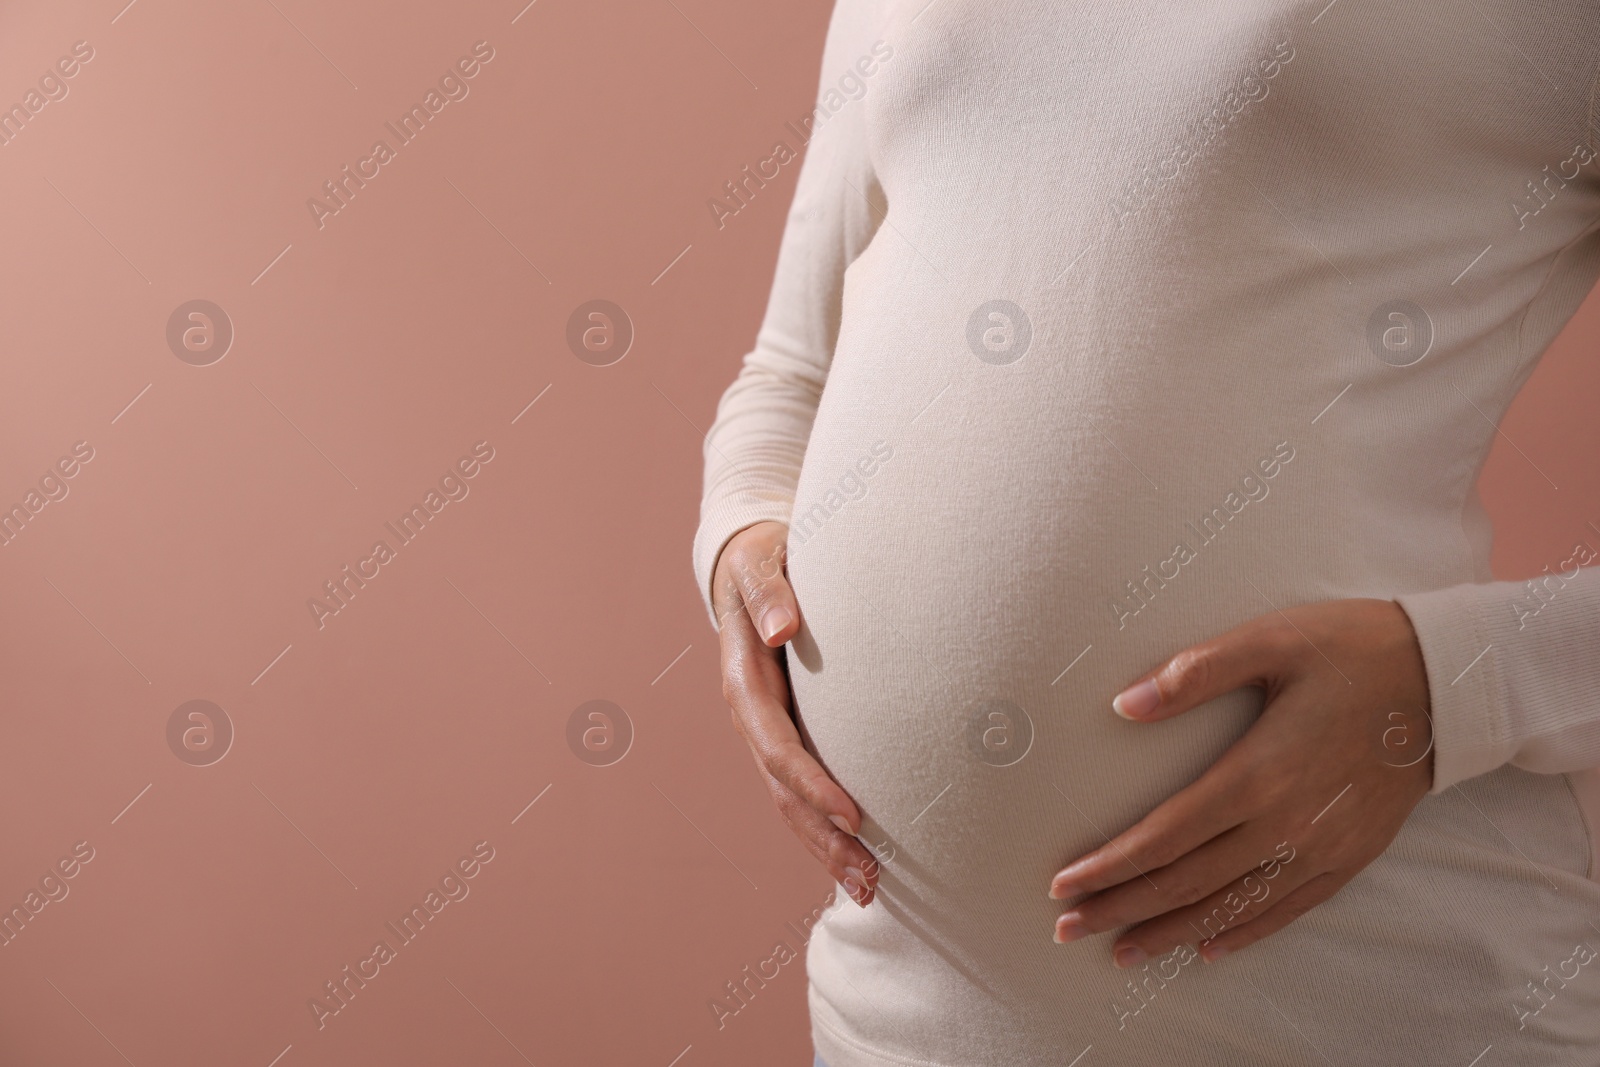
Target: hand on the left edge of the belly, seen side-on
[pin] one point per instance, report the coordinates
(756, 615)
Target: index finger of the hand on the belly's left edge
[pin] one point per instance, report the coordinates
(758, 692)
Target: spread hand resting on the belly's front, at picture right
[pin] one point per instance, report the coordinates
(1294, 810)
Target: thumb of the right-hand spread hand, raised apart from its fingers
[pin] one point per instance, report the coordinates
(1255, 653)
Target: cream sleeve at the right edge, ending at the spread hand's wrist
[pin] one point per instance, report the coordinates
(1514, 673)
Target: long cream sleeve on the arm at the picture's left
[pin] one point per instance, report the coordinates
(764, 420)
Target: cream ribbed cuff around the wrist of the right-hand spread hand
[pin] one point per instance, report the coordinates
(1471, 716)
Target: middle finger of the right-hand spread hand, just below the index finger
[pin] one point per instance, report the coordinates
(1191, 879)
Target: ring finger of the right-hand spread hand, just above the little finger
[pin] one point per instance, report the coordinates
(1218, 924)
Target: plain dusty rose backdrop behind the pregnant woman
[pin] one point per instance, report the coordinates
(369, 356)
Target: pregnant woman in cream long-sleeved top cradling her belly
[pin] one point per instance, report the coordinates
(1094, 538)
